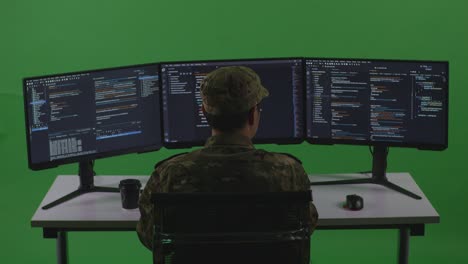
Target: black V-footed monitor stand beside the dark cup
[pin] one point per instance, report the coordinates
(86, 174)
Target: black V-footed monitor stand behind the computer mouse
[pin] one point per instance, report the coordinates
(379, 166)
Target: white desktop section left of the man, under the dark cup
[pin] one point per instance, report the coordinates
(100, 211)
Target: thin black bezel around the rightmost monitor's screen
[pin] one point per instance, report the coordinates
(421, 146)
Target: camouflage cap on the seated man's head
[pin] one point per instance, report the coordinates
(230, 90)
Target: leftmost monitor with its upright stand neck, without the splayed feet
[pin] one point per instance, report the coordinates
(83, 116)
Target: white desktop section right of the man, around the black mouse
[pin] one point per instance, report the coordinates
(382, 206)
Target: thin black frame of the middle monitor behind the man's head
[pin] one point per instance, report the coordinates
(279, 141)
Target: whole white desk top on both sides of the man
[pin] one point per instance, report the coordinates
(382, 206)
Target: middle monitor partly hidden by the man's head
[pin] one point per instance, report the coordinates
(282, 118)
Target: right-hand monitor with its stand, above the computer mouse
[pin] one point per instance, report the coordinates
(380, 103)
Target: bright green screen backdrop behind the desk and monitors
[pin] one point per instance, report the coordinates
(56, 36)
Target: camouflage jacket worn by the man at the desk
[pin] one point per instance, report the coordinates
(227, 163)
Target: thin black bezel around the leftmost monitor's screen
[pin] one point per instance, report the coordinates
(58, 162)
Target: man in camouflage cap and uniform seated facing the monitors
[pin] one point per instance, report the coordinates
(229, 162)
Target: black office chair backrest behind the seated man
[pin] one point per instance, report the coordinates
(239, 228)
